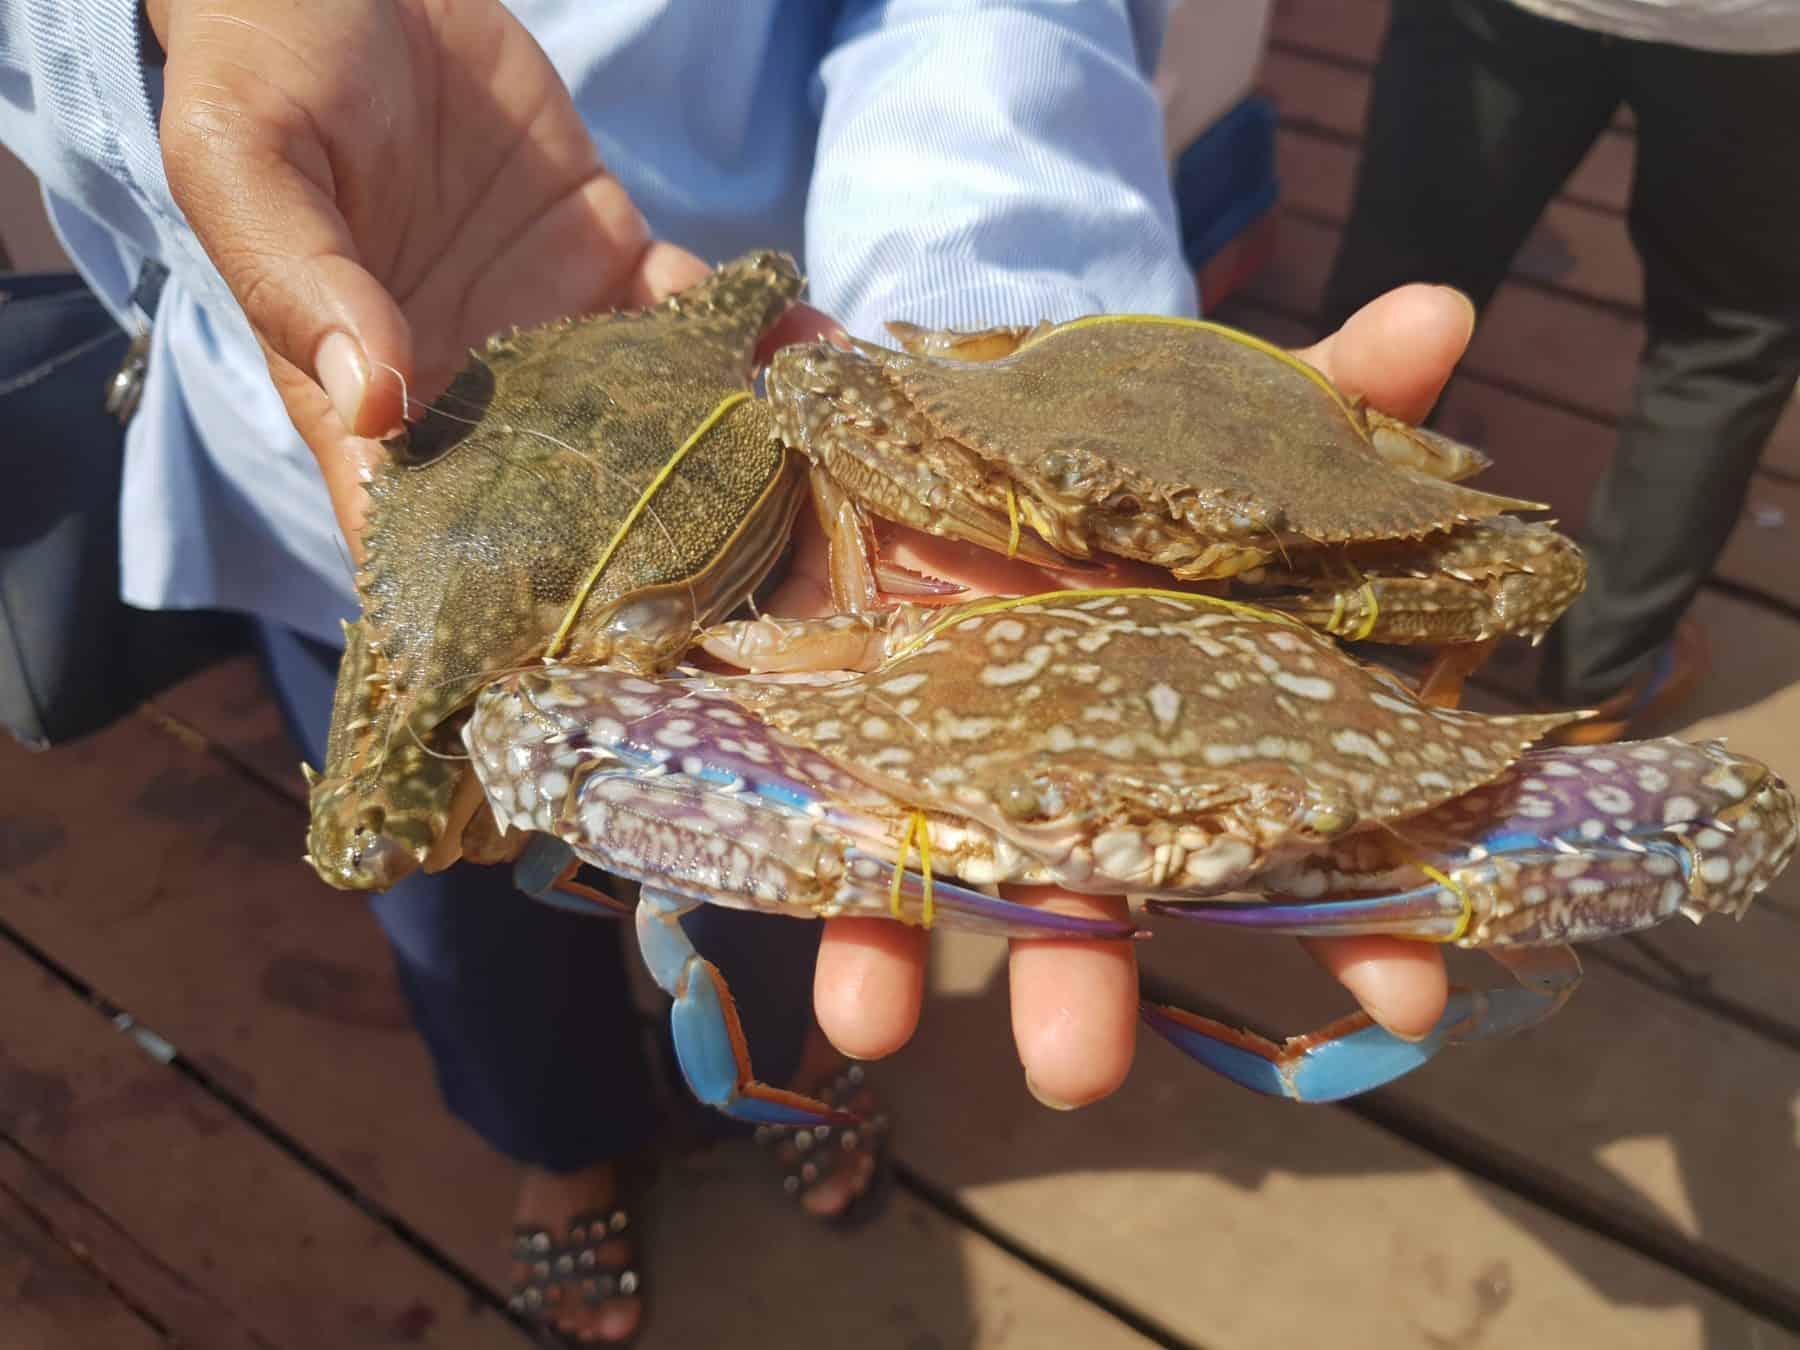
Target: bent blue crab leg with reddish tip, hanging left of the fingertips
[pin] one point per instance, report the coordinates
(708, 1036)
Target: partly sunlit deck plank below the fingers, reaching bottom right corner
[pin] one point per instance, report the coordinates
(1243, 1223)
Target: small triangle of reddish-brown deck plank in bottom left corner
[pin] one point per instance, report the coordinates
(51, 1300)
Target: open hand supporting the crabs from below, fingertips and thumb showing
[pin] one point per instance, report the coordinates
(1075, 1003)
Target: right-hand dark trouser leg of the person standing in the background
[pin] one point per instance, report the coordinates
(1714, 217)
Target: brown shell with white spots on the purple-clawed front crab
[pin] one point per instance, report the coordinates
(1146, 733)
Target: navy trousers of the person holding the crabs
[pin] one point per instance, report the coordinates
(526, 1009)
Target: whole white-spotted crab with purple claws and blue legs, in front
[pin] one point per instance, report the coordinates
(1153, 744)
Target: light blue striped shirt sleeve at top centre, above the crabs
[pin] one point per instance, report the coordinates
(993, 165)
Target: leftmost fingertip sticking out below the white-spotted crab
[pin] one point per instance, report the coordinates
(868, 985)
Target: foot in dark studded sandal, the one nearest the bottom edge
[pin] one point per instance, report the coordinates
(568, 1281)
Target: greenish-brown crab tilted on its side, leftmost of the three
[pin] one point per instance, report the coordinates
(593, 490)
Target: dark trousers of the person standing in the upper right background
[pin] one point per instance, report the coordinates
(1479, 114)
